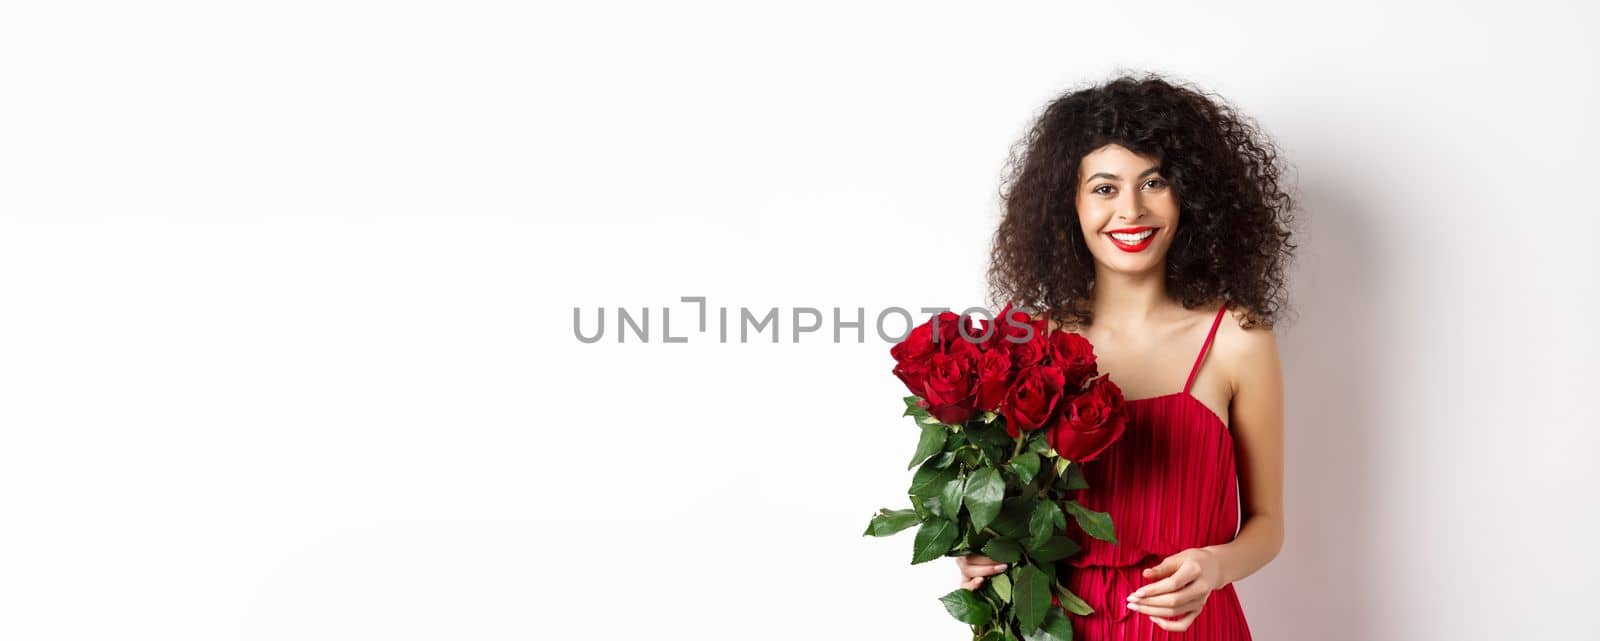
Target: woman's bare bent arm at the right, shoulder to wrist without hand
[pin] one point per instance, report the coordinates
(1257, 424)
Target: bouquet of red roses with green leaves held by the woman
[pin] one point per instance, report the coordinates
(1007, 413)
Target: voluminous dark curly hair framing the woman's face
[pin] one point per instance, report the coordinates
(1234, 241)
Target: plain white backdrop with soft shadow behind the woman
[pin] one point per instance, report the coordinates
(287, 309)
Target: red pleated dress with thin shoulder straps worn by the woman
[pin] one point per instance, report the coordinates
(1169, 485)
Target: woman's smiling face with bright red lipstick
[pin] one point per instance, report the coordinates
(1127, 210)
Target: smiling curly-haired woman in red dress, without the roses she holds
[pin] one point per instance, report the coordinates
(1142, 213)
